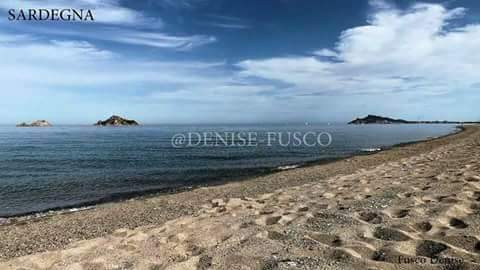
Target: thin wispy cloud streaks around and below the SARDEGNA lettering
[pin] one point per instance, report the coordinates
(113, 22)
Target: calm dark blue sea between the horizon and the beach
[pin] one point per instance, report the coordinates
(47, 168)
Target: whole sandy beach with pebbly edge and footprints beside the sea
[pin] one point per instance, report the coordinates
(414, 206)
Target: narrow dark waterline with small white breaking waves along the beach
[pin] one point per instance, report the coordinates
(259, 172)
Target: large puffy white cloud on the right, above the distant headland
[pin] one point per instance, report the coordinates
(416, 50)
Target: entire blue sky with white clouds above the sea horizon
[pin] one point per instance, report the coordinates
(249, 61)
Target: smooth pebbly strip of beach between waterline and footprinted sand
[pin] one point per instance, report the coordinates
(52, 232)
